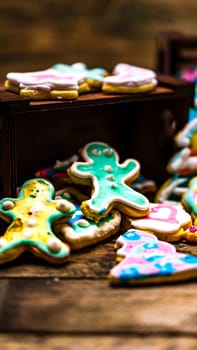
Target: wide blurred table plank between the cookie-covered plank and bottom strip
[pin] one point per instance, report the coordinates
(93, 307)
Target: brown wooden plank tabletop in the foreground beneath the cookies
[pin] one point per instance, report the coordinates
(74, 307)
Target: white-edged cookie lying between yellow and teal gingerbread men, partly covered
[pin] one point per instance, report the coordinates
(80, 231)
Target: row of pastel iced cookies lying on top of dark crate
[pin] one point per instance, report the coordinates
(67, 82)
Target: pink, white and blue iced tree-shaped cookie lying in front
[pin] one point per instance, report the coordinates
(143, 259)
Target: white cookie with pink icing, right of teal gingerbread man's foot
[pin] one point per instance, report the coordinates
(166, 221)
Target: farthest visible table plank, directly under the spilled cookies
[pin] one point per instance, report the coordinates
(91, 262)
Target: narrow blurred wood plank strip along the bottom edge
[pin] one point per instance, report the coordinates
(100, 342)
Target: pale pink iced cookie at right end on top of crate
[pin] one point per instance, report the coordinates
(126, 78)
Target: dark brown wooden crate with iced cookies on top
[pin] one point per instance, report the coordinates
(35, 134)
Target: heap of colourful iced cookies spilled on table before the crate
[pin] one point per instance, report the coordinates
(94, 201)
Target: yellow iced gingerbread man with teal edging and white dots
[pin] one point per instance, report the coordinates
(32, 214)
